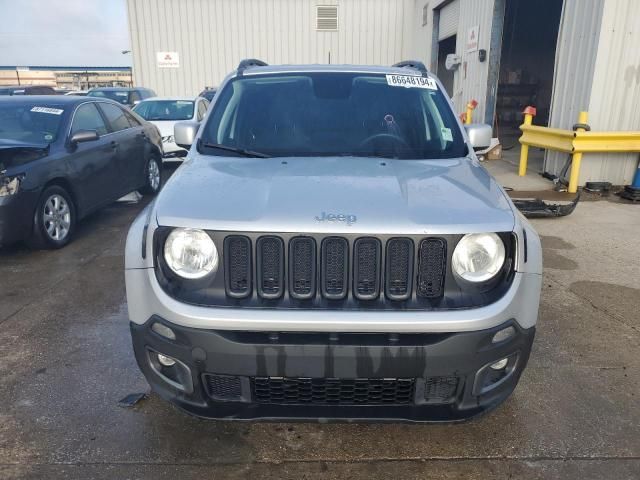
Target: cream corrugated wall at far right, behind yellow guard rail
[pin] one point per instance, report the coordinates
(615, 93)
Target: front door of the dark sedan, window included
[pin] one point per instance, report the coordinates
(92, 163)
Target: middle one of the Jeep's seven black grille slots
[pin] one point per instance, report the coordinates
(335, 257)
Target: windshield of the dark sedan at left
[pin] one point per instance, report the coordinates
(29, 123)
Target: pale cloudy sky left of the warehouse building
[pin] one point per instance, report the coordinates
(72, 33)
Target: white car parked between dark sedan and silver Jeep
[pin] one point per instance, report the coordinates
(164, 112)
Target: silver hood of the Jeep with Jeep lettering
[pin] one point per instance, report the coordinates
(334, 194)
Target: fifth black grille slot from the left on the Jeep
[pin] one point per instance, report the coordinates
(366, 268)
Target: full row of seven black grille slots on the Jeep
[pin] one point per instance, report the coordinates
(356, 269)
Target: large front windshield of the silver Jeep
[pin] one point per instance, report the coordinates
(334, 114)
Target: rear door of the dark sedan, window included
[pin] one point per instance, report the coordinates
(131, 146)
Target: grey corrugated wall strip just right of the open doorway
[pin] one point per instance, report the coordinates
(576, 52)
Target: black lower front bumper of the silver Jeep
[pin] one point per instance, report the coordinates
(324, 376)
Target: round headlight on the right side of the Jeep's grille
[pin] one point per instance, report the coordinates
(478, 257)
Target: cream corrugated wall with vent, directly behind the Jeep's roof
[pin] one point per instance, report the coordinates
(212, 36)
